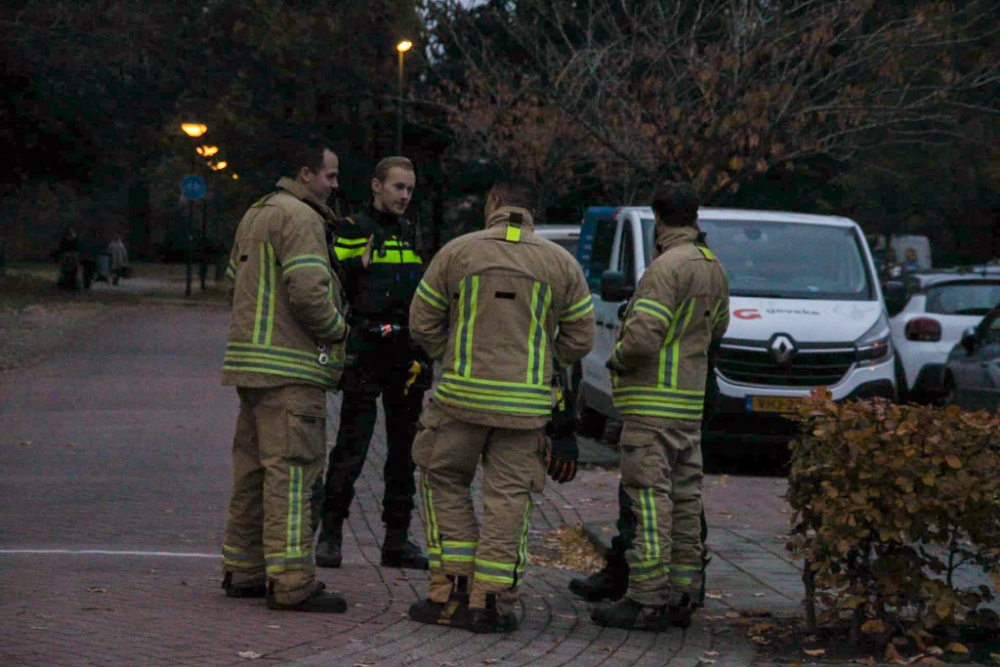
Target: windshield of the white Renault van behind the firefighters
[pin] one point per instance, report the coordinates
(785, 260)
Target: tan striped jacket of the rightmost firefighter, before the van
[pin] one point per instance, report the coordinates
(681, 306)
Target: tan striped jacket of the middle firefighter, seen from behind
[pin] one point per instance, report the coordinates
(499, 307)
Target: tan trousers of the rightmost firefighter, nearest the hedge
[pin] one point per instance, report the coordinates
(661, 467)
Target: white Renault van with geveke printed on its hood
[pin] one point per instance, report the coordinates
(806, 310)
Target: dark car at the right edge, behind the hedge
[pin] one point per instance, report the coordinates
(972, 372)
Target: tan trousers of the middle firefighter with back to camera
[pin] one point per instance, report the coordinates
(447, 452)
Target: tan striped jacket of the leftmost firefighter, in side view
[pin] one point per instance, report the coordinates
(286, 325)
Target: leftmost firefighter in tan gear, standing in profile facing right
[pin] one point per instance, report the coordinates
(285, 350)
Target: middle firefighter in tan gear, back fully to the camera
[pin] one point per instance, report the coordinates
(500, 308)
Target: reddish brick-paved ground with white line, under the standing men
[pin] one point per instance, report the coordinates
(115, 473)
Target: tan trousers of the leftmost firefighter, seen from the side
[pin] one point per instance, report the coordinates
(277, 456)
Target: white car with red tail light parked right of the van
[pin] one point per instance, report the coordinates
(939, 308)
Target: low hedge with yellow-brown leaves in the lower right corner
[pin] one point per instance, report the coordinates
(889, 501)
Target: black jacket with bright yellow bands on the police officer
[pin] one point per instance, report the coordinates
(380, 293)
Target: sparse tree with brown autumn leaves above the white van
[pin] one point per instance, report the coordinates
(730, 89)
